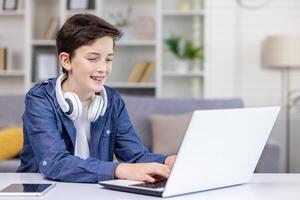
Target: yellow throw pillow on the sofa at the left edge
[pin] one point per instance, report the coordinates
(11, 142)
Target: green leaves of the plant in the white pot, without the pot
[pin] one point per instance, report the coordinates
(183, 49)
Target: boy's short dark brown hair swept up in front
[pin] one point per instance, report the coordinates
(83, 29)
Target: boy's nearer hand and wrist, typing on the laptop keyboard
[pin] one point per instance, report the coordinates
(142, 171)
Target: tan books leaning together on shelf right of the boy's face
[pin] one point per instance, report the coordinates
(141, 71)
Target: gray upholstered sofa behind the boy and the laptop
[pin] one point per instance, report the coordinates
(139, 109)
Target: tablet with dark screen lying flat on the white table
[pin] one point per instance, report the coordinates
(25, 188)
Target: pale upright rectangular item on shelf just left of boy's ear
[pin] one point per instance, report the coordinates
(46, 66)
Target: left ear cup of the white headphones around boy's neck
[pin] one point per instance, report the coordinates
(75, 105)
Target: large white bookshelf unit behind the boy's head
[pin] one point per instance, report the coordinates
(150, 22)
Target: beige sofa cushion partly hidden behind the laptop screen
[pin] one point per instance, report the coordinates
(168, 132)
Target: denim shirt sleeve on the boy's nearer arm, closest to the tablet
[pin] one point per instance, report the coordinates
(53, 158)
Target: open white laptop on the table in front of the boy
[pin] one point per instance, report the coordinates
(220, 148)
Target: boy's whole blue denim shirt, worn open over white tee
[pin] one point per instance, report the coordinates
(49, 139)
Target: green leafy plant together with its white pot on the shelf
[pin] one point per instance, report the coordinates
(185, 52)
